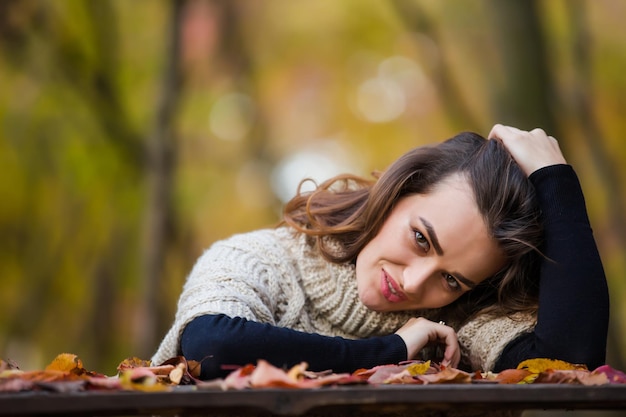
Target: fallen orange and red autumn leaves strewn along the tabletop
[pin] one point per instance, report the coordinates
(67, 374)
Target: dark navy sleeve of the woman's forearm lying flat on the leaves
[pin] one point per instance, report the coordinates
(222, 343)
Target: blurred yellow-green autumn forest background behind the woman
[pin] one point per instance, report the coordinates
(135, 133)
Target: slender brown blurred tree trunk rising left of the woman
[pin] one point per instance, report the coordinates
(160, 154)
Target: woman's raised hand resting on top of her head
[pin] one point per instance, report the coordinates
(531, 150)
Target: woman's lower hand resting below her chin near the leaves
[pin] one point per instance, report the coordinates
(419, 332)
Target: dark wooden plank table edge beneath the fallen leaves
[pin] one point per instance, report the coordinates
(329, 401)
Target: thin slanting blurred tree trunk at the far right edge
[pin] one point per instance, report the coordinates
(583, 107)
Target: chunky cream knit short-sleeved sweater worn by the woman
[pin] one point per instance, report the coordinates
(275, 276)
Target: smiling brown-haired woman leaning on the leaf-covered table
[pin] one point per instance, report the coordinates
(481, 247)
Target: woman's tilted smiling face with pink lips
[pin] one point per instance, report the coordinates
(432, 248)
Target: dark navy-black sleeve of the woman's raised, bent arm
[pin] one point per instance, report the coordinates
(572, 322)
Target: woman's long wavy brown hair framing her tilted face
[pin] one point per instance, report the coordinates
(350, 210)
